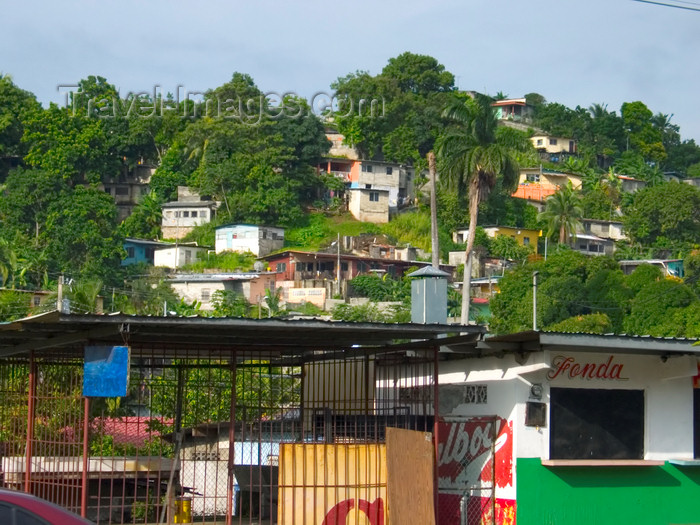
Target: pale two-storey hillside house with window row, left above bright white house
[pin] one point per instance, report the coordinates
(181, 216)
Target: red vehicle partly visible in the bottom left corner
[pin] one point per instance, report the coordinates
(19, 508)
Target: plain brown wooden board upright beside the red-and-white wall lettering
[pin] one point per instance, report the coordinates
(410, 478)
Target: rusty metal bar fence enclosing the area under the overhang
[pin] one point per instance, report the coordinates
(202, 434)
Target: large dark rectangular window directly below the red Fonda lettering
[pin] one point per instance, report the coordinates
(596, 424)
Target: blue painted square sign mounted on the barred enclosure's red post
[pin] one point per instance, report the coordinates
(106, 371)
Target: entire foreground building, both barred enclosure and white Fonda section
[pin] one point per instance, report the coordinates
(397, 424)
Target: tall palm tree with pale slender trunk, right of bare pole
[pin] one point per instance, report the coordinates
(474, 156)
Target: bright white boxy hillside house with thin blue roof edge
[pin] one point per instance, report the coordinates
(259, 240)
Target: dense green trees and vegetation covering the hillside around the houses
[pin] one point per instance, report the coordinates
(257, 156)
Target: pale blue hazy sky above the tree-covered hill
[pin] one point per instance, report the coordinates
(574, 53)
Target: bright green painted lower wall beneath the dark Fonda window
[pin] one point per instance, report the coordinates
(665, 495)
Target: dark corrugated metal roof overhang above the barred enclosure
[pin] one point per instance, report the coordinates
(61, 334)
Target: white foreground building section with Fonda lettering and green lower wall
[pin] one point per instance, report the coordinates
(546, 424)
